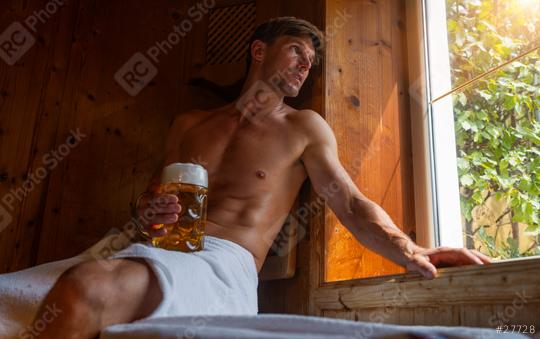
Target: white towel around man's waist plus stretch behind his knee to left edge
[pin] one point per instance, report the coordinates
(221, 279)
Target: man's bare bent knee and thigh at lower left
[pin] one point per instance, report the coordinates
(95, 294)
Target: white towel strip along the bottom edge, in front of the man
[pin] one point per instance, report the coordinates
(287, 326)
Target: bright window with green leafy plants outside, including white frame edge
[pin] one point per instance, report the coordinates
(483, 92)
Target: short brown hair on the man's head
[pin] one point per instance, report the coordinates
(269, 31)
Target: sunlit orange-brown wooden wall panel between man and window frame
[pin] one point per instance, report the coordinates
(368, 110)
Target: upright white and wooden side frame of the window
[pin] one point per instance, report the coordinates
(436, 176)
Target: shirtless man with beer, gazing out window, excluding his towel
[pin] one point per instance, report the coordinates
(257, 158)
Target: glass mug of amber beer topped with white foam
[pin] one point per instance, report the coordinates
(189, 182)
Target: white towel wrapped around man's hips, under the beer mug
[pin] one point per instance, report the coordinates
(219, 280)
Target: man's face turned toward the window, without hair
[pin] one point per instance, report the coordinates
(287, 63)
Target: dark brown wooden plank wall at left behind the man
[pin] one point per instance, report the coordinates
(66, 81)
